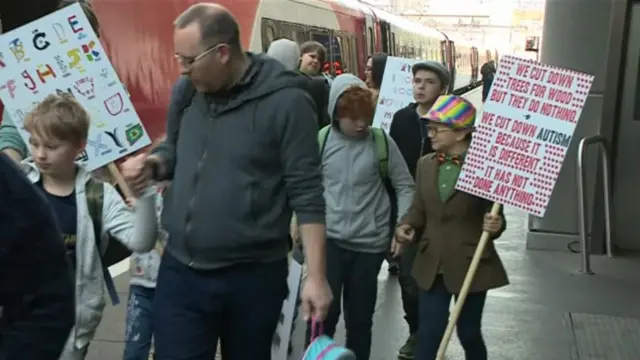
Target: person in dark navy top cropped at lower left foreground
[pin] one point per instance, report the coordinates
(37, 308)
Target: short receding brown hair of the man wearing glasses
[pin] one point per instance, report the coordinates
(215, 22)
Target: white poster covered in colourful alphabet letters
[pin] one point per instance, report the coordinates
(61, 53)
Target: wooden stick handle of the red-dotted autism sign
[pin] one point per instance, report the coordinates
(468, 280)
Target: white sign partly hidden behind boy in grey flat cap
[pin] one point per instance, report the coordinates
(396, 90)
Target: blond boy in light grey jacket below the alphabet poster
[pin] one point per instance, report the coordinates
(58, 129)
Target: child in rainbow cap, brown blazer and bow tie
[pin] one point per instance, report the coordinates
(450, 224)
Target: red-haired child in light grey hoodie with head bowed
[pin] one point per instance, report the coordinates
(358, 209)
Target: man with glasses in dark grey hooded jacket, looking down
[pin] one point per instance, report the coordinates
(242, 156)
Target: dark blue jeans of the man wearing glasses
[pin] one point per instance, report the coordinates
(239, 305)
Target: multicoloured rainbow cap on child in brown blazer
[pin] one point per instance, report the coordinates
(453, 111)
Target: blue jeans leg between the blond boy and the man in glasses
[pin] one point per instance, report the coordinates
(139, 331)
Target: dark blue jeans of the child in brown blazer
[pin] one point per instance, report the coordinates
(434, 316)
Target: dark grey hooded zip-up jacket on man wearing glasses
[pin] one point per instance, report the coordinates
(240, 164)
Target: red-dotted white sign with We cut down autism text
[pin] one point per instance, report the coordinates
(523, 133)
